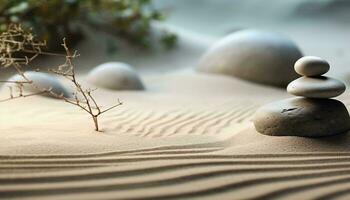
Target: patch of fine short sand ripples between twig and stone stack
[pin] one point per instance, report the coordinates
(175, 121)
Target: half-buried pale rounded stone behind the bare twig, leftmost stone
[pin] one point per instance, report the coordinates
(40, 81)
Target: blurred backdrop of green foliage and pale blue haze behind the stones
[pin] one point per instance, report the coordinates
(166, 35)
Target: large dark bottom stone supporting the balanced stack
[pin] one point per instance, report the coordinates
(302, 117)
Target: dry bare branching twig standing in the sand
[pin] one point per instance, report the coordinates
(15, 41)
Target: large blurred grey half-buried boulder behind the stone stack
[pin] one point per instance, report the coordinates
(261, 57)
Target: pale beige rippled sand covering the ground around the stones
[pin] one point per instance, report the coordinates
(188, 136)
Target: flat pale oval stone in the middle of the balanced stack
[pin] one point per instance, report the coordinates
(317, 87)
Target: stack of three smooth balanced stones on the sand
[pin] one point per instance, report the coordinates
(313, 113)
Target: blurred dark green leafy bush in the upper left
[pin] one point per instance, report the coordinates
(55, 19)
